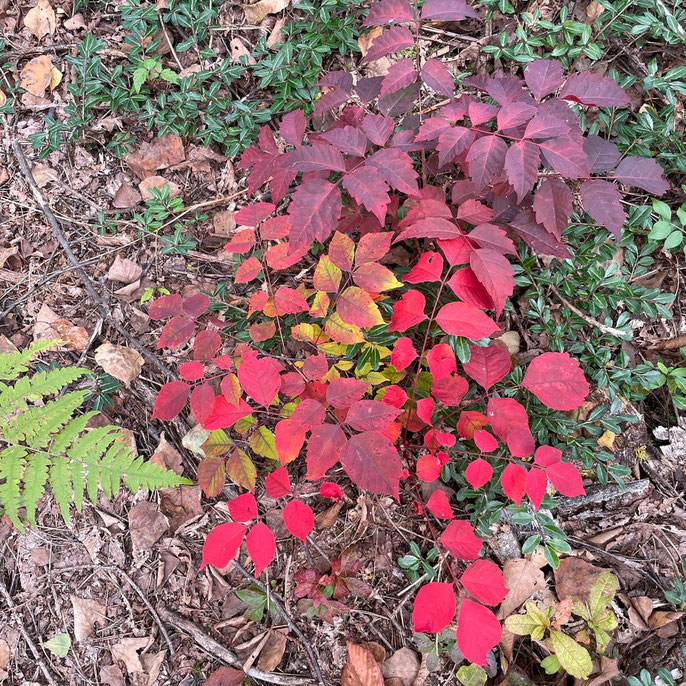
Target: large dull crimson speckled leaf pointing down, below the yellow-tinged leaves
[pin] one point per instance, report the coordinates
(373, 463)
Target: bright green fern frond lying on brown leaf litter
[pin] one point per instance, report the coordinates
(43, 445)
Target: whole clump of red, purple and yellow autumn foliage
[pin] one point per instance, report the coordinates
(499, 164)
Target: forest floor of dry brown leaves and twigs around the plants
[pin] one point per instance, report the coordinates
(122, 581)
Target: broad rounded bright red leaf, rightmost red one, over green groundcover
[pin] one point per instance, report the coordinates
(557, 380)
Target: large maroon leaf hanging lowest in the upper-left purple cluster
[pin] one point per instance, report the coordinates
(313, 213)
